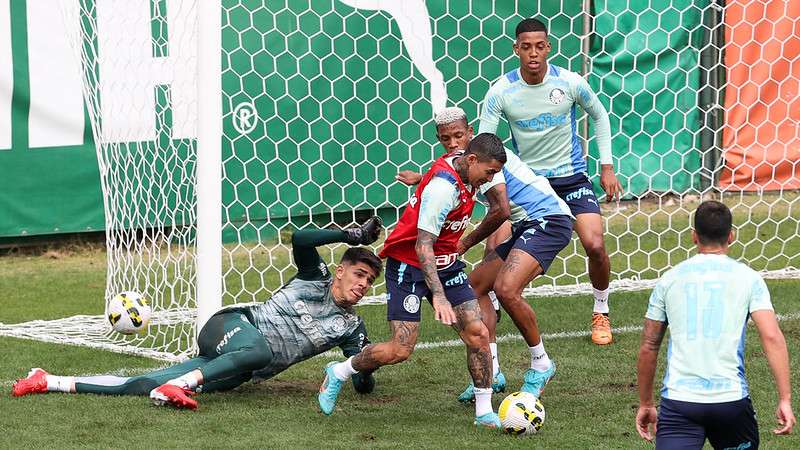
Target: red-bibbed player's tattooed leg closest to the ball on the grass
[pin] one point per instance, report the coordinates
(475, 335)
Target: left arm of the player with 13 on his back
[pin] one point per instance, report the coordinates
(652, 335)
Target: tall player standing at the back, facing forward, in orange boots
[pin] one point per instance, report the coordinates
(539, 100)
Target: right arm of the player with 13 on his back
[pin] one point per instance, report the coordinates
(774, 345)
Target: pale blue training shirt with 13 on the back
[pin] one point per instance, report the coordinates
(706, 301)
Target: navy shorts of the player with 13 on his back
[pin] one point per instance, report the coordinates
(686, 425)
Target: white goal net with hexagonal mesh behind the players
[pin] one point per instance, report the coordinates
(324, 102)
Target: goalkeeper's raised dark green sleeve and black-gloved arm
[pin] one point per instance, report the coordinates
(305, 243)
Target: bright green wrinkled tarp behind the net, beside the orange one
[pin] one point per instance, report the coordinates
(646, 71)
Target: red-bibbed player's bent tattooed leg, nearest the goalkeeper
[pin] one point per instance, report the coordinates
(397, 350)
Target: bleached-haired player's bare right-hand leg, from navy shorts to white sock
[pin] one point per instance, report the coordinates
(519, 269)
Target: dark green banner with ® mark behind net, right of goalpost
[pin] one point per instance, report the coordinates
(342, 107)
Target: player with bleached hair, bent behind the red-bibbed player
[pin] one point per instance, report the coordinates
(541, 227)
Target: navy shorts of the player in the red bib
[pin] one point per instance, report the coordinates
(406, 285)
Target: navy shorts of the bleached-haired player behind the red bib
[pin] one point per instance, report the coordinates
(541, 238)
